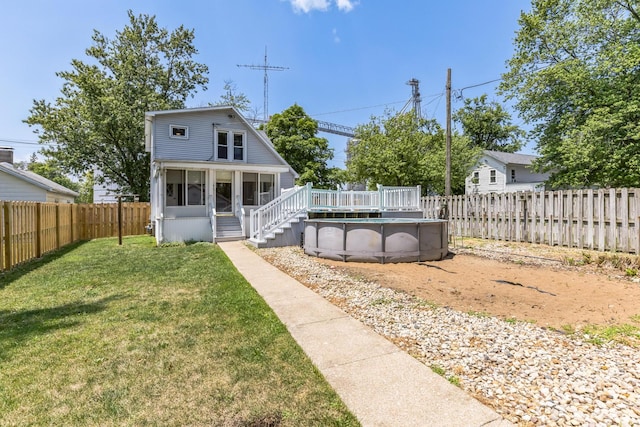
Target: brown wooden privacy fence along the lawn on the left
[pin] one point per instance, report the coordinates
(31, 229)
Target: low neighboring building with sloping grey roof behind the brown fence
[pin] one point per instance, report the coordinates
(21, 185)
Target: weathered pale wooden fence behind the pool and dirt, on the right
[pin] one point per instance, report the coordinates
(604, 220)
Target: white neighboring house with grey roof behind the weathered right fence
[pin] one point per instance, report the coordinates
(498, 172)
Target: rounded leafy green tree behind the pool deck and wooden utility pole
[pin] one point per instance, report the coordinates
(400, 150)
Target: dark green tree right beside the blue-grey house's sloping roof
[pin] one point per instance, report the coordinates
(293, 134)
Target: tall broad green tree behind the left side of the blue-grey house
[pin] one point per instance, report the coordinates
(98, 120)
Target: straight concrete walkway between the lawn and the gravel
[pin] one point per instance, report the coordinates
(381, 384)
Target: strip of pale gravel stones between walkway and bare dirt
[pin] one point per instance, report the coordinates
(528, 374)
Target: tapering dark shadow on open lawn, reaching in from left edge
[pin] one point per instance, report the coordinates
(16, 327)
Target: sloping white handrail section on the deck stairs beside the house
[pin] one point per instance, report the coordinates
(277, 212)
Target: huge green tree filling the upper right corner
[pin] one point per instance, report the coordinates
(575, 76)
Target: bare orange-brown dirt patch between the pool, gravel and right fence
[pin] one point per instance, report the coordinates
(553, 287)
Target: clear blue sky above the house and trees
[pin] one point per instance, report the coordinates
(347, 59)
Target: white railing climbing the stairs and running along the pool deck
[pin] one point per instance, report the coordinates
(293, 202)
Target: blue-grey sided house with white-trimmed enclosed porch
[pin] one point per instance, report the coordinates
(209, 168)
